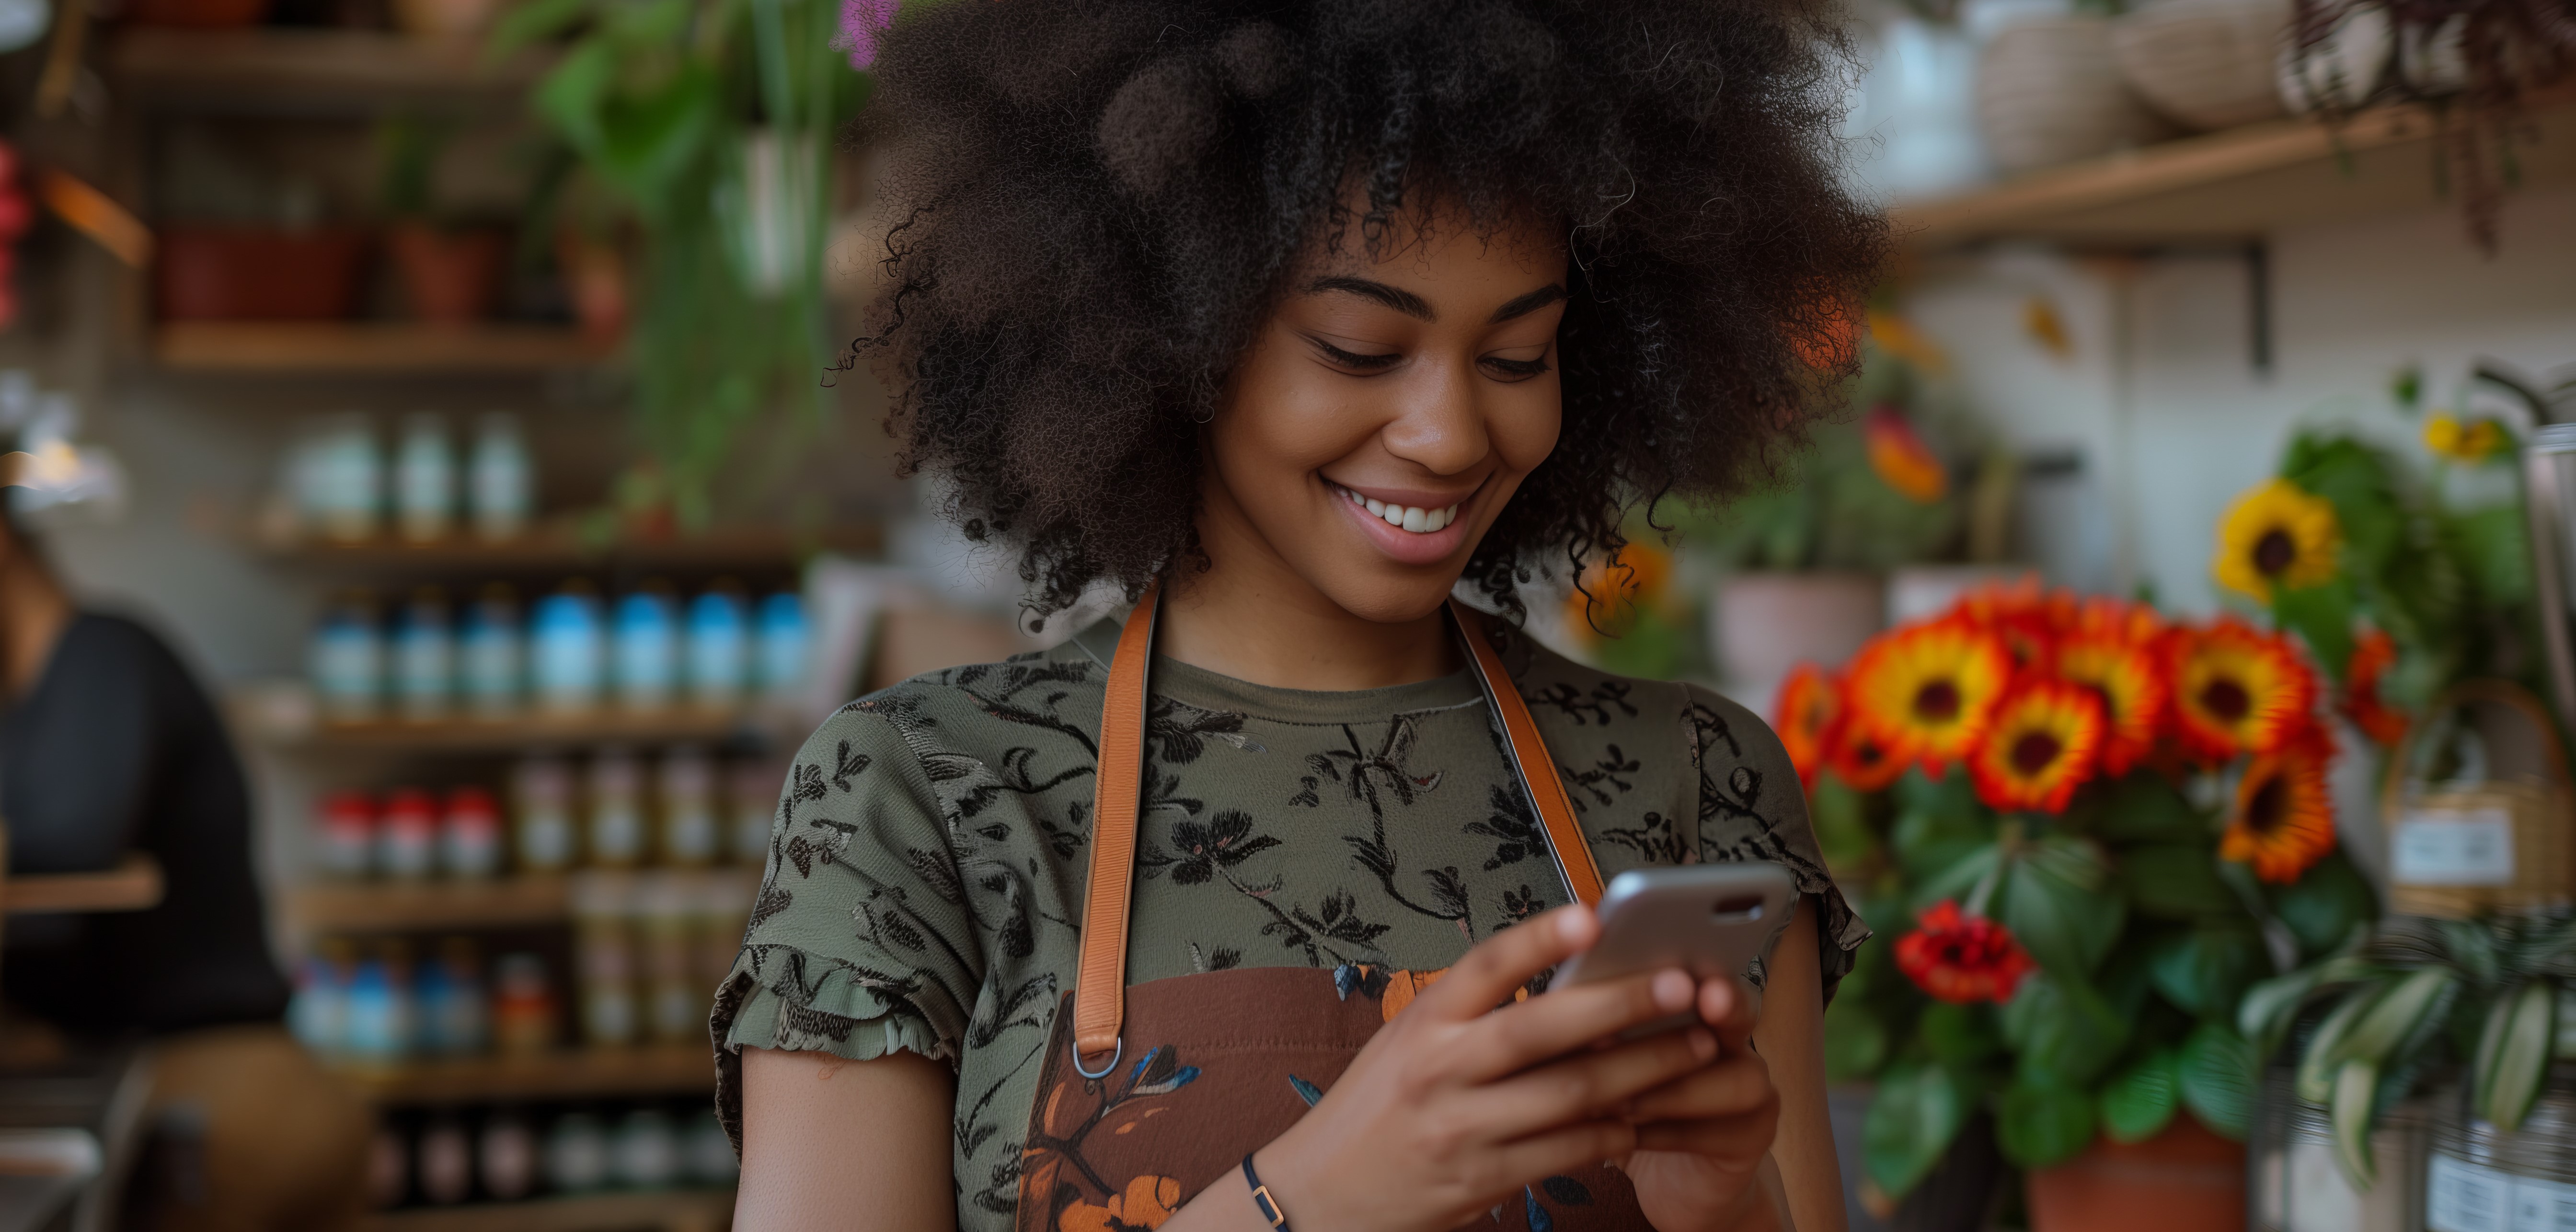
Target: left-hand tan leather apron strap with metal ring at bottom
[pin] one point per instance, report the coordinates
(1117, 793)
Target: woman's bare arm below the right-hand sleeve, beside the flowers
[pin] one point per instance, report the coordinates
(1792, 1040)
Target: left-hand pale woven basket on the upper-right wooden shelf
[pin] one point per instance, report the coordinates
(2049, 91)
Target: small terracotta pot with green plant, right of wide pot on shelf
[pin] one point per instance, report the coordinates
(450, 269)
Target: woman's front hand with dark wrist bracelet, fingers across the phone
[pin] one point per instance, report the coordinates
(1454, 1107)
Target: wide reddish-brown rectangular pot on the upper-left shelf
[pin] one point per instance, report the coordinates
(259, 274)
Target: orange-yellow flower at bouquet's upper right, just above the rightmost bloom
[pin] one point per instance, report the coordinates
(2237, 689)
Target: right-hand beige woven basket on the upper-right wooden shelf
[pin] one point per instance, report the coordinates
(2204, 63)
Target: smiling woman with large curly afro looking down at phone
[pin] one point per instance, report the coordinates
(1287, 318)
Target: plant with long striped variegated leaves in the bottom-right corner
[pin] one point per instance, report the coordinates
(2415, 1001)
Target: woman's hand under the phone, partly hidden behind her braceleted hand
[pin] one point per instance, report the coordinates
(1704, 1138)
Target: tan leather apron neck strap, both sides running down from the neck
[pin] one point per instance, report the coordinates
(1119, 787)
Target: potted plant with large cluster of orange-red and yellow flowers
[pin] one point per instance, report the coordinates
(2080, 823)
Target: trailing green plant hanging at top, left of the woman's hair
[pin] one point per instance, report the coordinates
(712, 125)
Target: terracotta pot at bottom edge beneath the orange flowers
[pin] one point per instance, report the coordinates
(2186, 1177)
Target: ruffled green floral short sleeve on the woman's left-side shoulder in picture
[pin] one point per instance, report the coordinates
(862, 939)
